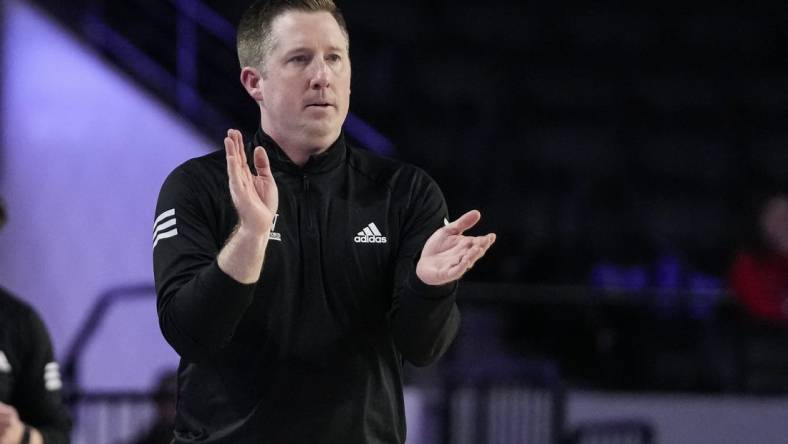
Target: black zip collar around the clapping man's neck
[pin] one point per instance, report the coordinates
(325, 161)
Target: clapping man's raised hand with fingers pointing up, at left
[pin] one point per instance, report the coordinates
(256, 198)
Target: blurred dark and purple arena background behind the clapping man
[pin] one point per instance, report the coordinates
(619, 150)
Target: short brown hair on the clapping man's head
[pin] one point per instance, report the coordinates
(254, 30)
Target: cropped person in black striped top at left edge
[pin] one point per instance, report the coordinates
(31, 408)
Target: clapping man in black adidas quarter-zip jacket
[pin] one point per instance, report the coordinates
(295, 279)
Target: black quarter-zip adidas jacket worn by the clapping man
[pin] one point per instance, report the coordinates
(313, 352)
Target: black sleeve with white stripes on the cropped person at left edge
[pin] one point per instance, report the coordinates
(38, 397)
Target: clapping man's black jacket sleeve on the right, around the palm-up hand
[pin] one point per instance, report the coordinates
(425, 318)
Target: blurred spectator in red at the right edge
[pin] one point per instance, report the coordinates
(759, 277)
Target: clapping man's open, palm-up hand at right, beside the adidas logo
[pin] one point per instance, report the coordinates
(448, 254)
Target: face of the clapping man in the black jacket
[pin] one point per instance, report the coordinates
(306, 80)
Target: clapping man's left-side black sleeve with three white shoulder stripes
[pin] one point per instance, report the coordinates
(199, 306)
